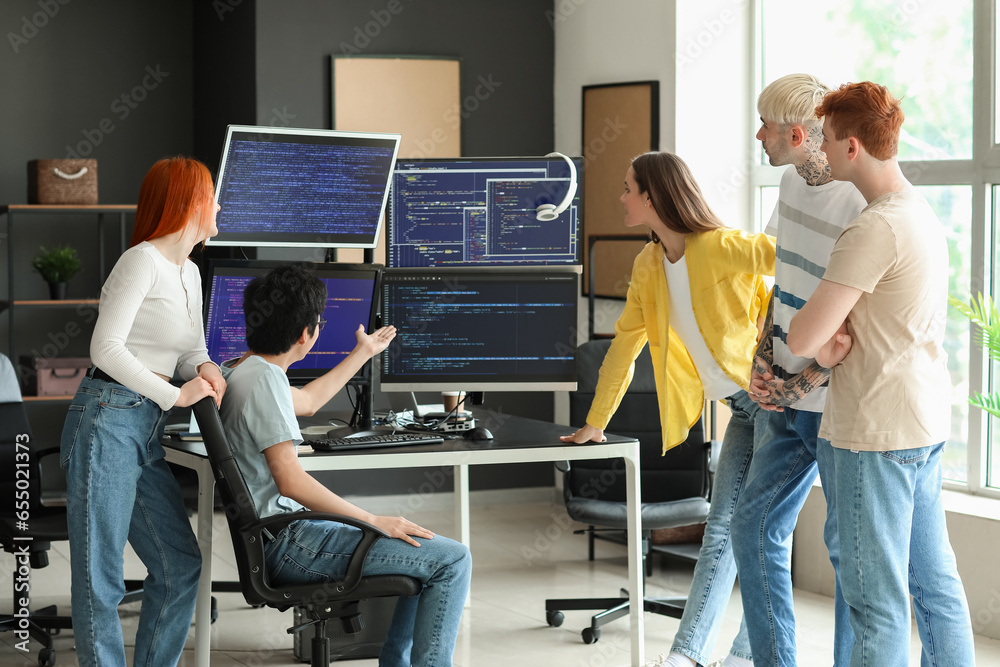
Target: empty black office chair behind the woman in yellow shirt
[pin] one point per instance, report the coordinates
(675, 487)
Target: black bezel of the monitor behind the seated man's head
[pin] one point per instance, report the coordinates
(303, 375)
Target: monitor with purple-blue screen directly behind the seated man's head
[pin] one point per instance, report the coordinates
(352, 299)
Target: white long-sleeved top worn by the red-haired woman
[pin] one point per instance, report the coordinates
(150, 322)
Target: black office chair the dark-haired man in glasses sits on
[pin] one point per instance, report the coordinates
(334, 599)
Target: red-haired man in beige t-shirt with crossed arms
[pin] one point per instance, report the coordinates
(877, 319)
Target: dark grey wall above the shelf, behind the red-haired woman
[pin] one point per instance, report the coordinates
(72, 69)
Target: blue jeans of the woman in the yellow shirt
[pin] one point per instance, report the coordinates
(715, 572)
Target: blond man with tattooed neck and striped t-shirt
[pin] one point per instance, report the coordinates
(812, 211)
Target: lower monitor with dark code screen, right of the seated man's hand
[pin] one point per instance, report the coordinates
(480, 329)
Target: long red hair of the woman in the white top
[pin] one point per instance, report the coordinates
(174, 191)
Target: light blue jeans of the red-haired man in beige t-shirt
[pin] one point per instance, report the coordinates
(894, 545)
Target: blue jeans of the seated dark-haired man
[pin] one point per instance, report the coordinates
(424, 627)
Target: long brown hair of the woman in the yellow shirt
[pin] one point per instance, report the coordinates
(675, 195)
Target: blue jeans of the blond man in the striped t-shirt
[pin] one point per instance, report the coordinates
(786, 459)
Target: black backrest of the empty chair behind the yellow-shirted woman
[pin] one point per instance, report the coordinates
(681, 473)
